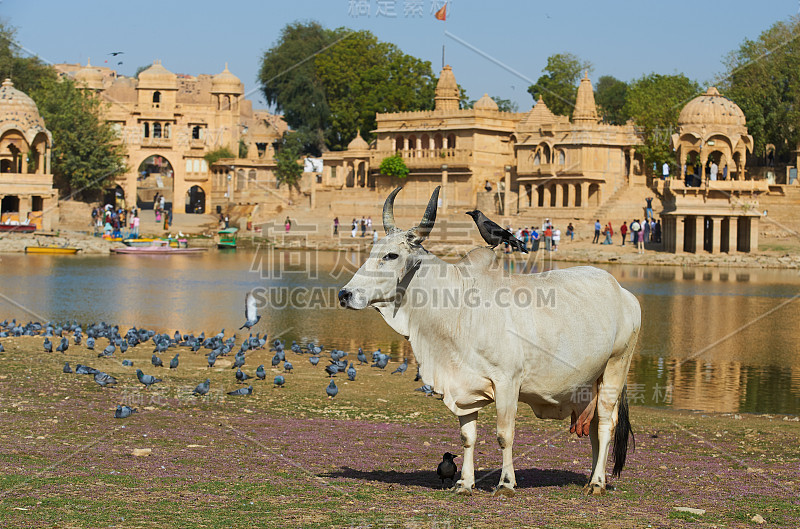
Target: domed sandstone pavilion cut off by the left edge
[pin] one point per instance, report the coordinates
(26, 184)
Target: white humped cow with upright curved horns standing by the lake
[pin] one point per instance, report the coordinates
(559, 341)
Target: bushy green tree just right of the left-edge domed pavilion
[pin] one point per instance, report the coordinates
(86, 151)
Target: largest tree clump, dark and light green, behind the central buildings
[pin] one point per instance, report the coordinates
(330, 83)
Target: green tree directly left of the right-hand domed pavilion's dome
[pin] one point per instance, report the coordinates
(654, 102)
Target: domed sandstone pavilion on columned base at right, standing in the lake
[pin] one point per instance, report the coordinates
(712, 207)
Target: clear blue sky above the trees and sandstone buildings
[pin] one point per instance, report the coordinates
(625, 39)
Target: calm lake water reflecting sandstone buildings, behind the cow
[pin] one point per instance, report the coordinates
(712, 339)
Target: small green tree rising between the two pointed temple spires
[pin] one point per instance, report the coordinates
(558, 87)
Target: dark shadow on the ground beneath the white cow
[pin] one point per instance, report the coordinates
(484, 480)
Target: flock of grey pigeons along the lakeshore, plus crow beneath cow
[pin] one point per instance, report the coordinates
(57, 338)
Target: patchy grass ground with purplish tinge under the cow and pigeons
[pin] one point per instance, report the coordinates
(291, 457)
